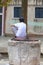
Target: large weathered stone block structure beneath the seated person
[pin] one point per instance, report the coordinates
(24, 52)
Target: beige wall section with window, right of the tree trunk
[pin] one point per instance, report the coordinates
(35, 17)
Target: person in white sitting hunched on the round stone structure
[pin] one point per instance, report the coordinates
(19, 29)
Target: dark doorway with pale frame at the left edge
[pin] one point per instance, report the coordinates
(1, 21)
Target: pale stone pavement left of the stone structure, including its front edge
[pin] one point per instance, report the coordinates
(4, 43)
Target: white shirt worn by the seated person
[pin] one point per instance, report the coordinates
(21, 32)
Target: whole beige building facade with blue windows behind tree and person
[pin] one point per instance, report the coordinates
(13, 12)
